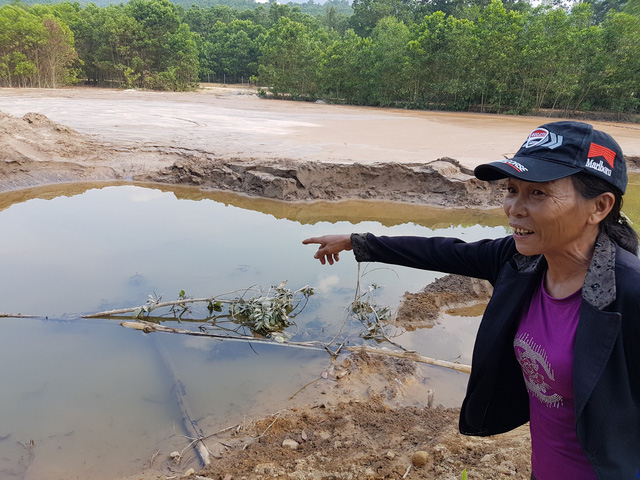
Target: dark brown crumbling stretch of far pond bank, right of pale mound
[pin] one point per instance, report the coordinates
(442, 183)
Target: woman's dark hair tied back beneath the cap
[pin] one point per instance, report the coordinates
(614, 225)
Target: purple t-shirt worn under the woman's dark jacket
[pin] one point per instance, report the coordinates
(544, 347)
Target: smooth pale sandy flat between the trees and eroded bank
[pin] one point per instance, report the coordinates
(234, 122)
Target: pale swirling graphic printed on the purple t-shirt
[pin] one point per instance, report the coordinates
(538, 373)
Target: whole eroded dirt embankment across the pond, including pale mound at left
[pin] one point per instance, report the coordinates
(36, 151)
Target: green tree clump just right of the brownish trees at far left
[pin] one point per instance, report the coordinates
(142, 44)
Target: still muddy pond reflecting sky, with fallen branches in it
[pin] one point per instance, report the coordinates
(87, 398)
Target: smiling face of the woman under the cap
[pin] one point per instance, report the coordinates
(549, 218)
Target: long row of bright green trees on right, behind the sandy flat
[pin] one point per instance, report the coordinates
(491, 59)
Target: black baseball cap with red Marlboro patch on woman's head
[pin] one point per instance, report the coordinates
(559, 149)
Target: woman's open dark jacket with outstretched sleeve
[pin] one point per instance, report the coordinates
(606, 377)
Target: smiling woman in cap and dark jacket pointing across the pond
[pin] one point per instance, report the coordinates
(559, 343)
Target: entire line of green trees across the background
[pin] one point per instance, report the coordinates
(487, 55)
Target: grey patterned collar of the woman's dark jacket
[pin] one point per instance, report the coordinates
(599, 287)
